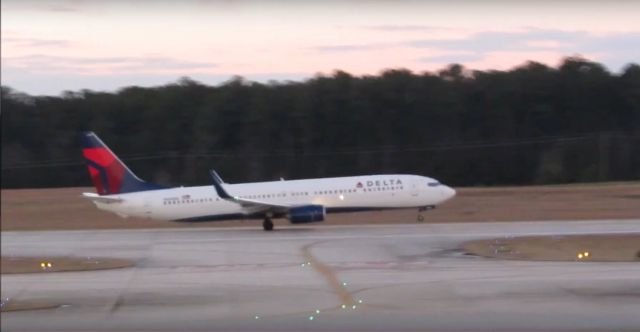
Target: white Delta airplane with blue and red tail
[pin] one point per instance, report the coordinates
(120, 191)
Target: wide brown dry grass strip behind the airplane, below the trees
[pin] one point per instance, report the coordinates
(30, 209)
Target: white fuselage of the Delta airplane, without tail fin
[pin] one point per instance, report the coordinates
(335, 194)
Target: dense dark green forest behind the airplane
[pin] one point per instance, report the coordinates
(533, 124)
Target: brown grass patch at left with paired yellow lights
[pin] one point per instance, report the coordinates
(12, 265)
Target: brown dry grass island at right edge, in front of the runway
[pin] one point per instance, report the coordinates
(598, 248)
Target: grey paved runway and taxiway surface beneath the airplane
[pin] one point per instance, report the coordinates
(388, 277)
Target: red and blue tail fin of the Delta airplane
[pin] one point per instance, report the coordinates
(109, 174)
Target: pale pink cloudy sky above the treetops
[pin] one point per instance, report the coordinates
(52, 46)
